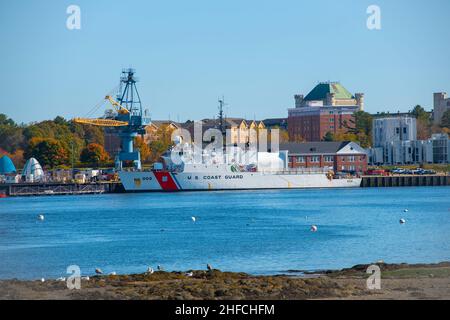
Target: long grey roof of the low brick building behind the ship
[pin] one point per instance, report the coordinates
(319, 147)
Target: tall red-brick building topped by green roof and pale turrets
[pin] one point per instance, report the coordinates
(325, 109)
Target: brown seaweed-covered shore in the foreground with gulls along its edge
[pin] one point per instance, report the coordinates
(398, 281)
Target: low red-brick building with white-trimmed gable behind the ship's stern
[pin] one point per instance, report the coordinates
(345, 156)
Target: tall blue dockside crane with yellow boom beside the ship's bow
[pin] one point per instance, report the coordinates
(128, 123)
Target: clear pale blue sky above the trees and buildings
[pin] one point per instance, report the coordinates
(188, 53)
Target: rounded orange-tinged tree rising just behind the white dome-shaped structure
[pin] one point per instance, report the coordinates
(48, 151)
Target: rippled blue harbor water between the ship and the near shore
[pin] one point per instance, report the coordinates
(259, 232)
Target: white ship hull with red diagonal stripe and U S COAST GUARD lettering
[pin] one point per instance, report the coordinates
(204, 181)
